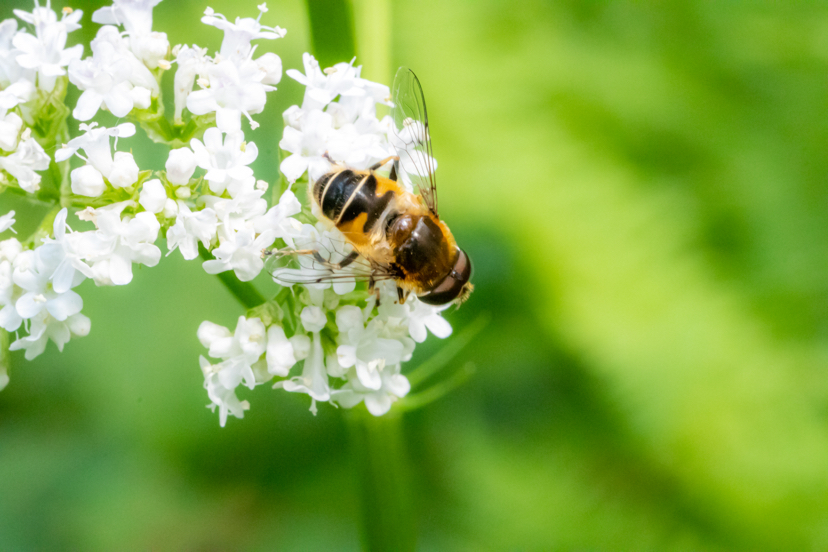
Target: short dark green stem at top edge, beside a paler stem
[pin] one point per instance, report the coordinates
(332, 31)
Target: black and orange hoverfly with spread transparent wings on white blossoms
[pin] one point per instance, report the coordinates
(392, 234)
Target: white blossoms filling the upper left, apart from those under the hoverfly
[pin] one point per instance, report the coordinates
(227, 213)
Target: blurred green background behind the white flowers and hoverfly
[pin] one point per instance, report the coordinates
(643, 187)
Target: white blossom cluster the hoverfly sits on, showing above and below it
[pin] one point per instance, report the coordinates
(351, 344)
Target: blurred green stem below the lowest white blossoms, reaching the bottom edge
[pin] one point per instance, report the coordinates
(379, 457)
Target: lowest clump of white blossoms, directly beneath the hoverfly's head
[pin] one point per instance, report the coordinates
(362, 365)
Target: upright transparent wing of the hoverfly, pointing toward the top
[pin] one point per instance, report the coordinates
(412, 133)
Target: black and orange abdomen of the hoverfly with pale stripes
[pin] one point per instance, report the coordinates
(354, 200)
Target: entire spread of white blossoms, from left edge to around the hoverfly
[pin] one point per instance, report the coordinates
(332, 340)
